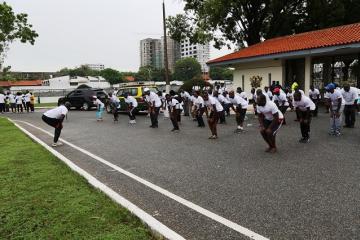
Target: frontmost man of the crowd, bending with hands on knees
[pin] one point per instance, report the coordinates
(270, 120)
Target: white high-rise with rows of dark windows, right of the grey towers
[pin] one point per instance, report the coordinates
(198, 51)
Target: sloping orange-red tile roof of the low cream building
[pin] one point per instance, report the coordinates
(336, 36)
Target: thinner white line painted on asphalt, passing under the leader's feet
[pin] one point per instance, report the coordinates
(243, 230)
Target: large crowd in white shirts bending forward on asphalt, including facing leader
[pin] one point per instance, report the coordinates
(270, 107)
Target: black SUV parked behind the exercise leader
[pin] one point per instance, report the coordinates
(82, 98)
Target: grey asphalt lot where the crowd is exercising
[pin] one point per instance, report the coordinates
(305, 191)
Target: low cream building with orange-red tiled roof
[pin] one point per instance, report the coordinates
(316, 57)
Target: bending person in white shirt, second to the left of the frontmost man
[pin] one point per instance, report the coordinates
(216, 110)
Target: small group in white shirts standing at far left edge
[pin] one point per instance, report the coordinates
(16, 103)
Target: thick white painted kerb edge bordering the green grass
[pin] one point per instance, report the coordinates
(154, 224)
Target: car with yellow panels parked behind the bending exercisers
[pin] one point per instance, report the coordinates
(136, 91)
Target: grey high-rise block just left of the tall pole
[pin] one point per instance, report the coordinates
(150, 53)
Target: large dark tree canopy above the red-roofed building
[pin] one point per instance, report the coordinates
(245, 22)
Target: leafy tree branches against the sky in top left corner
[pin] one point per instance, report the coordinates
(13, 27)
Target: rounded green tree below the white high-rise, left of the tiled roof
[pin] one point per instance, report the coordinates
(186, 69)
